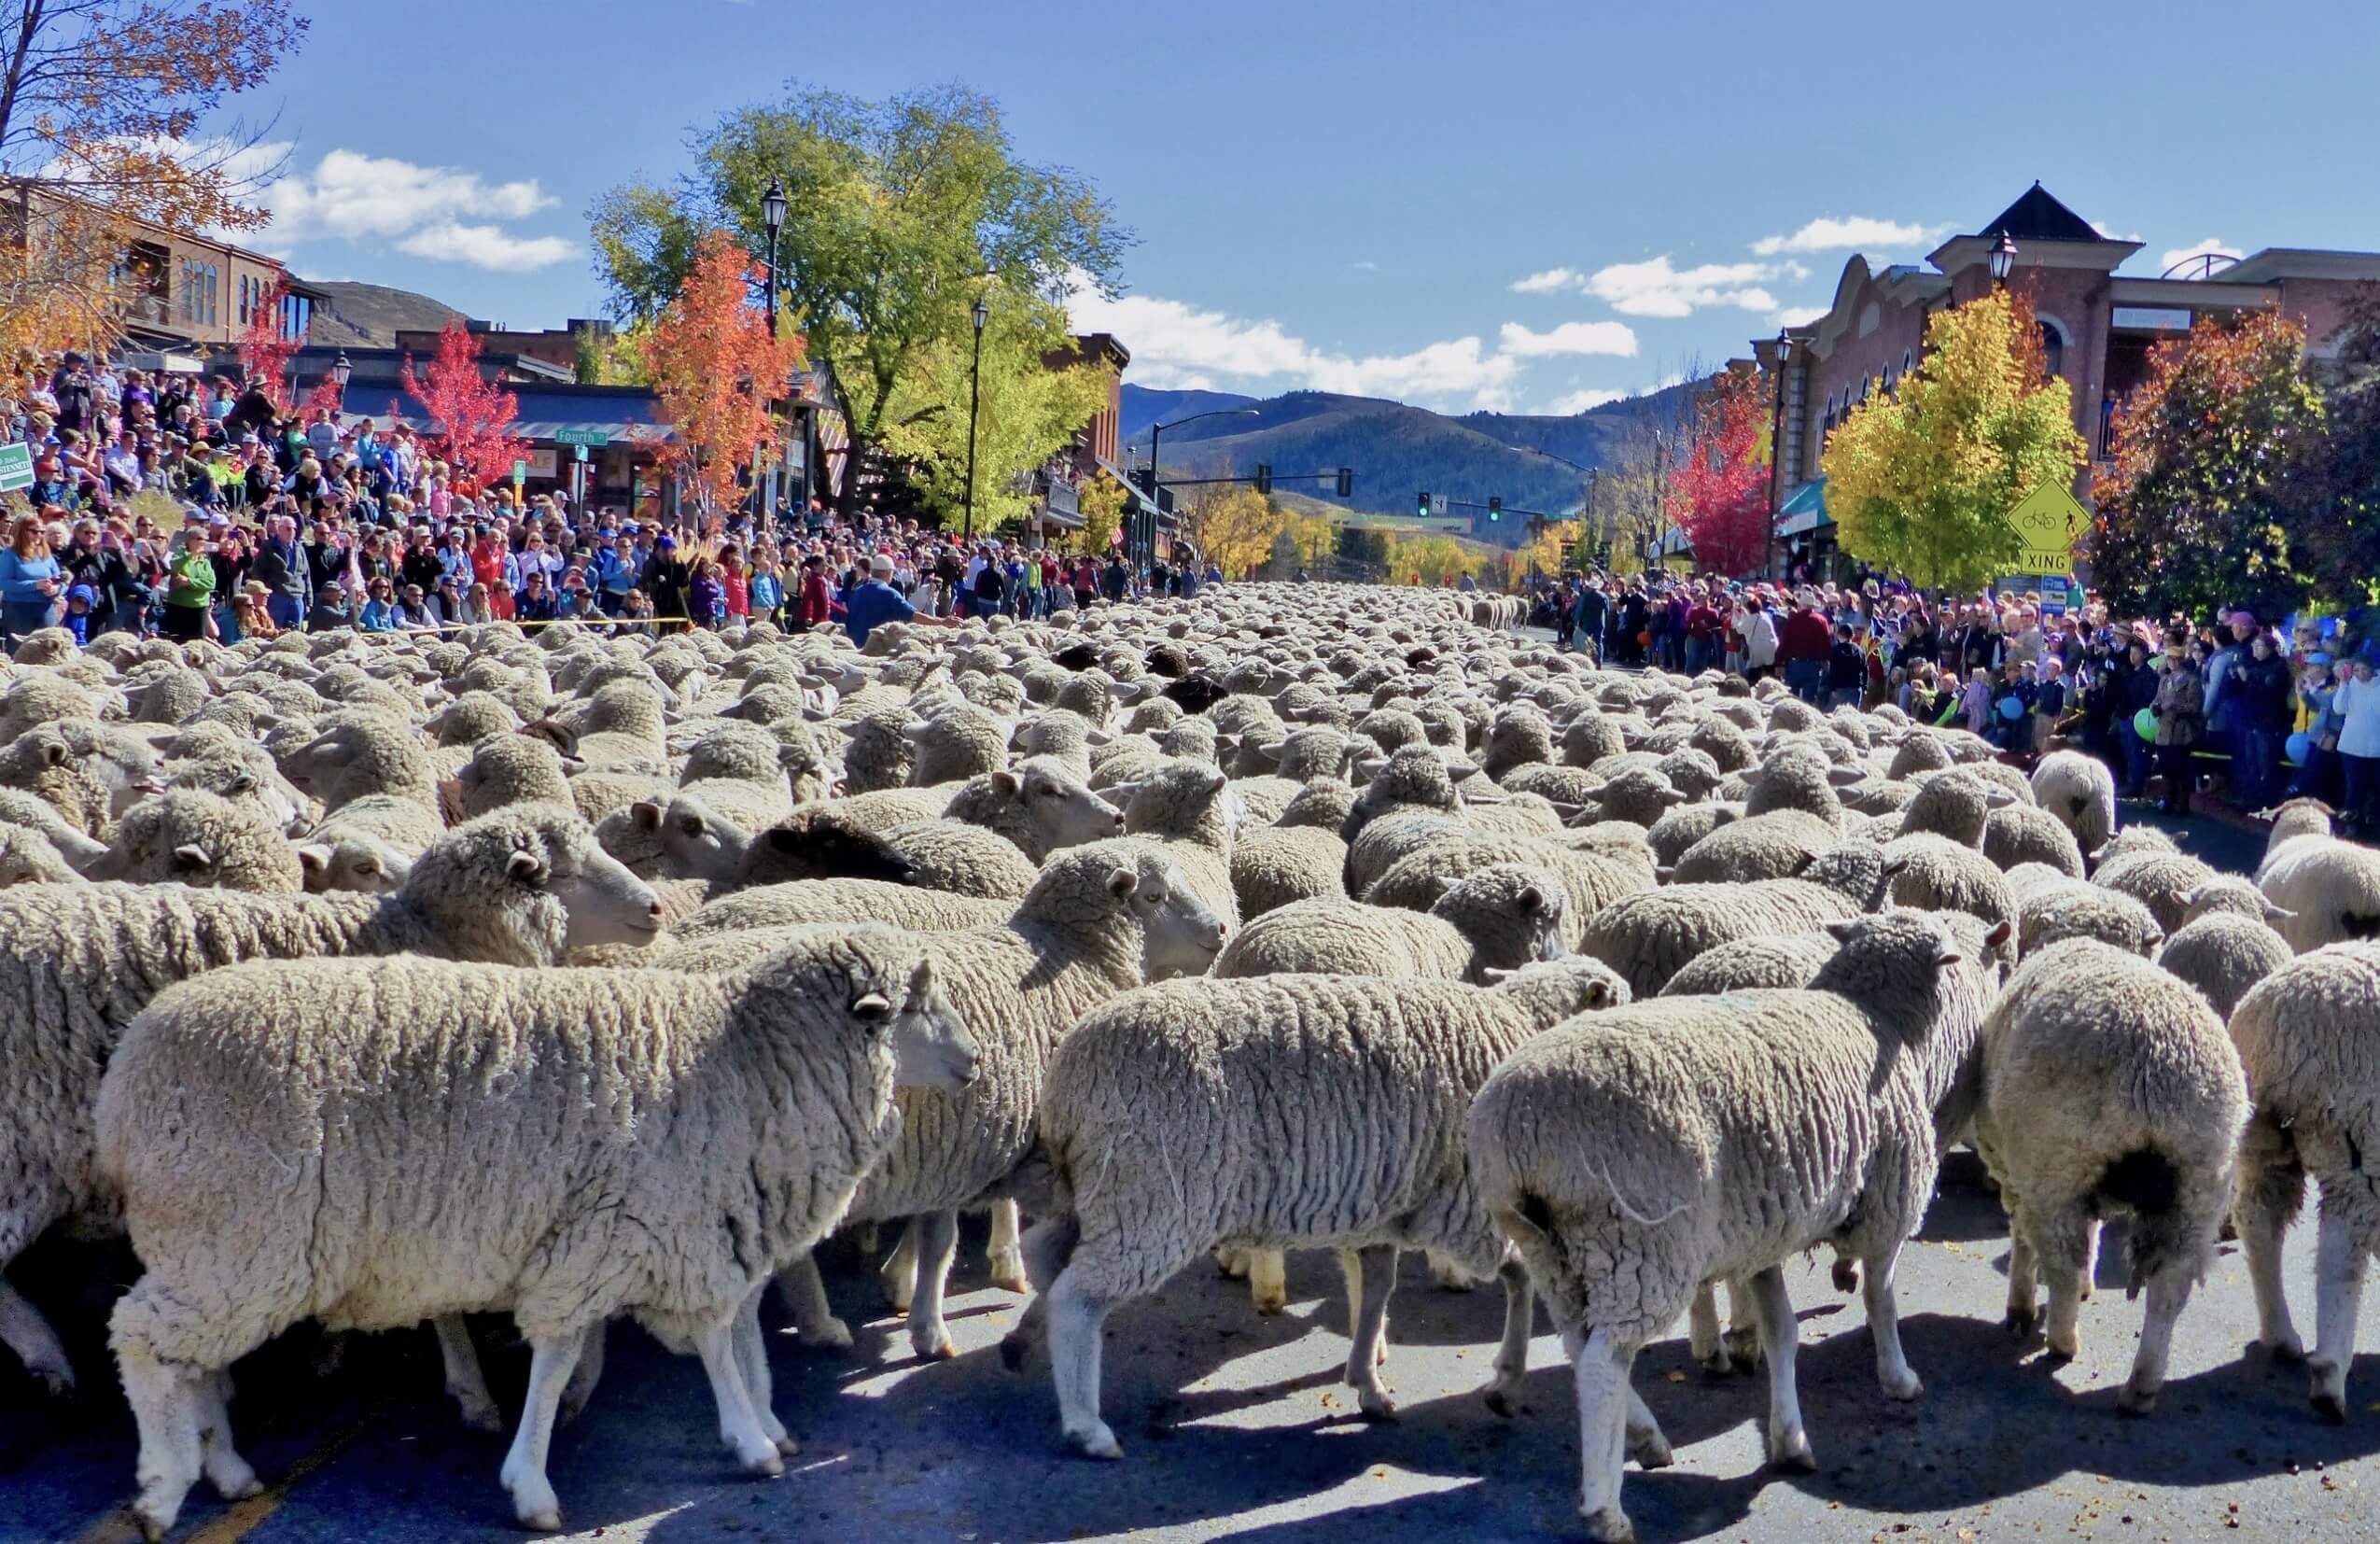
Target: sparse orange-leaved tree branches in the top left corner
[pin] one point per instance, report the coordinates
(108, 123)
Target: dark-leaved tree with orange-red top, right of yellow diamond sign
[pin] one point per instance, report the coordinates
(2207, 503)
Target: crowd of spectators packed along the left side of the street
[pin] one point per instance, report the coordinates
(194, 508)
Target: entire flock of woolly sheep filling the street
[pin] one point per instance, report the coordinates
(563, 977)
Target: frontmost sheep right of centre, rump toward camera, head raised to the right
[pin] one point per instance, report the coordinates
(1641, 1153)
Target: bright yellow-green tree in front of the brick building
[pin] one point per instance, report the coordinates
(1922, 479)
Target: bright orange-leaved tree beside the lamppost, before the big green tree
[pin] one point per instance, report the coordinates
(715, 368)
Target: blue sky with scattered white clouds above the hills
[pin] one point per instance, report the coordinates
(1503, 206)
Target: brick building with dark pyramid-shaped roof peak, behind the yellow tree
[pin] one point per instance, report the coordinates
(2098, 329)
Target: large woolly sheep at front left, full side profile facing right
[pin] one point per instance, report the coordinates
(729, 1169)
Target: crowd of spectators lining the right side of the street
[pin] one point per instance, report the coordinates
(2267, 708)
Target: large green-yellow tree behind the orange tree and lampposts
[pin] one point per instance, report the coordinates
(896, 218)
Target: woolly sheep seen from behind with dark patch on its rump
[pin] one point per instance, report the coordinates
(2107, 1088)
